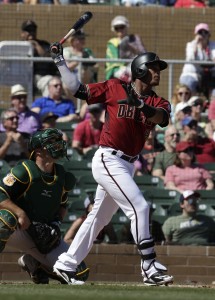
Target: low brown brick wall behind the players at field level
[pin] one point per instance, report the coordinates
(121, 263)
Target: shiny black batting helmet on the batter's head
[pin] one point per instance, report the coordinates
(139, 66)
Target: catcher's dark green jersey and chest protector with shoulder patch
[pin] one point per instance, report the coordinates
(39, 194)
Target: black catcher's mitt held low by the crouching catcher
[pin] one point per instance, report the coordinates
(45, 236)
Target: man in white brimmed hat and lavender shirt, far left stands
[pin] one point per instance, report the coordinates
(29, 121)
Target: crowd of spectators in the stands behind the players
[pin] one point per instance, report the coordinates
(178, 160)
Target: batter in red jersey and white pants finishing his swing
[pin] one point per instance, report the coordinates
(126, 128)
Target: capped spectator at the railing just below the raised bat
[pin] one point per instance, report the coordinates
(77, 49)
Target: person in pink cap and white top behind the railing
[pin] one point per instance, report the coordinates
(199, 78)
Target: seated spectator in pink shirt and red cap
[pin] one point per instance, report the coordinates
(185, 174)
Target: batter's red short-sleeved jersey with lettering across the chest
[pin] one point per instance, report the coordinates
(125, 127)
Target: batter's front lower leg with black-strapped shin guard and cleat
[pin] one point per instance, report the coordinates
(152, 270)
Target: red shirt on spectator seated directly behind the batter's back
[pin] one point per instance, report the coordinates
(86, 135)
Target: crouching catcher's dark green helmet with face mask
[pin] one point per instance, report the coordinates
(51, 139)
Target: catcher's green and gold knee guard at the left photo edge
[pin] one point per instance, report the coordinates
(8, 223)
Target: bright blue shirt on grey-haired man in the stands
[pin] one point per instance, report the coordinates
(63, 108)
